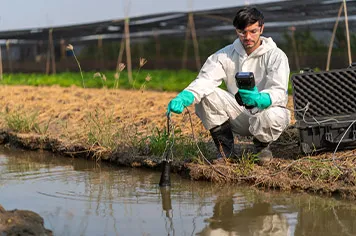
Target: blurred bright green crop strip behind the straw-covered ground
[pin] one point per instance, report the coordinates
(160, 80)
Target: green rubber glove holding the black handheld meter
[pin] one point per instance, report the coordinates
(255, 98)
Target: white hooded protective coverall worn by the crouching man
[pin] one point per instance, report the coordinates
(214, 106)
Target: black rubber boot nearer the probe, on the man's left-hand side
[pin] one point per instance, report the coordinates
(223, 139)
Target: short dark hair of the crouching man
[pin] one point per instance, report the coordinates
(247, 16)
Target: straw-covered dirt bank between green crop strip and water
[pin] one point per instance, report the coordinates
(127, 128)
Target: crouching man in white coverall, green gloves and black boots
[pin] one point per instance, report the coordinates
(218, 109)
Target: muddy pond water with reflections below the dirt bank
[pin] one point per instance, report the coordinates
(78, 197)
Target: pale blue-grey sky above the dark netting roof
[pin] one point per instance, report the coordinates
(32, 14)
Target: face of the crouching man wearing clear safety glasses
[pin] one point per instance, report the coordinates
(250, 36)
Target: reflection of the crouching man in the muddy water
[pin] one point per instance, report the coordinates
(236, 215)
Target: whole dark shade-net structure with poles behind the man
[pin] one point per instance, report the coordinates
(31, 49)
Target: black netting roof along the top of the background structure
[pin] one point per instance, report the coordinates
(318, 15)
